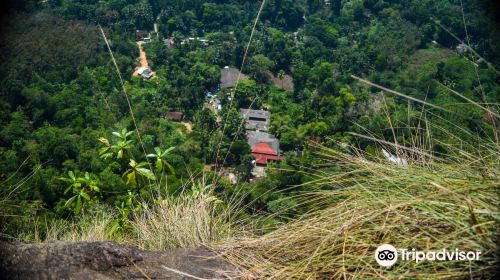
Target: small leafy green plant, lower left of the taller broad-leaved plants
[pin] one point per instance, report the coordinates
(83, 190)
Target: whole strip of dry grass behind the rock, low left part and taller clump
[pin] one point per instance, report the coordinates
(188, 220)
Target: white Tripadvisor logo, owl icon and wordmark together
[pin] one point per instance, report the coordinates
(387, 255)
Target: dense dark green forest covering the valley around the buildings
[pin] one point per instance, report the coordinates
(75, 134)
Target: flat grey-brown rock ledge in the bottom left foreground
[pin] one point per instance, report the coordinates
(108, 260)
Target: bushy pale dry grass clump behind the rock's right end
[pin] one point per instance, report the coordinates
(184, 221)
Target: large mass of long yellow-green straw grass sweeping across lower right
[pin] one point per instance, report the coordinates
(372, 202)
